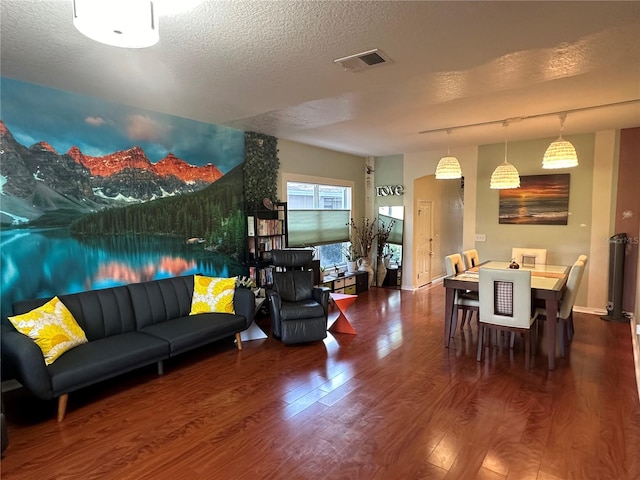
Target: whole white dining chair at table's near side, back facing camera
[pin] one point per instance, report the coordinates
(505, 304)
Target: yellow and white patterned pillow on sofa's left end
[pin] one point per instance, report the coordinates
(52, 327)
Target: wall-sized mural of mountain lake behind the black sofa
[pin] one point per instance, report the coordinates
(95, 194)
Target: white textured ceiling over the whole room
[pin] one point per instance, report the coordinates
(268, 66)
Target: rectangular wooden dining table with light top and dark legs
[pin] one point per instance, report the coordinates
(547, 285)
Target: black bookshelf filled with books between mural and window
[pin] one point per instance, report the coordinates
(266, 231)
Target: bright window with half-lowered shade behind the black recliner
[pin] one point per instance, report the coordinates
(319, 214)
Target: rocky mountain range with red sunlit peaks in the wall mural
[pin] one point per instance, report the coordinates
(37, 179)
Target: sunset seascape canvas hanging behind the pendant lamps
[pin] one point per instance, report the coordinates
(540, 200)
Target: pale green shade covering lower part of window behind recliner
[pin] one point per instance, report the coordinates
(317, 227)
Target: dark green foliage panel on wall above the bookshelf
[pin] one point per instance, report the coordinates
(260, 168)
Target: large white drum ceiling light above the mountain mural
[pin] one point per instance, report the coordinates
(119, 23)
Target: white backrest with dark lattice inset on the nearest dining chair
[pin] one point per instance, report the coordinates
(505, 297)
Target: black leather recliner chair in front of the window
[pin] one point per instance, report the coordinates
(298, 309)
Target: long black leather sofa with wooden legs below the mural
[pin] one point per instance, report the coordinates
(127, 327)
